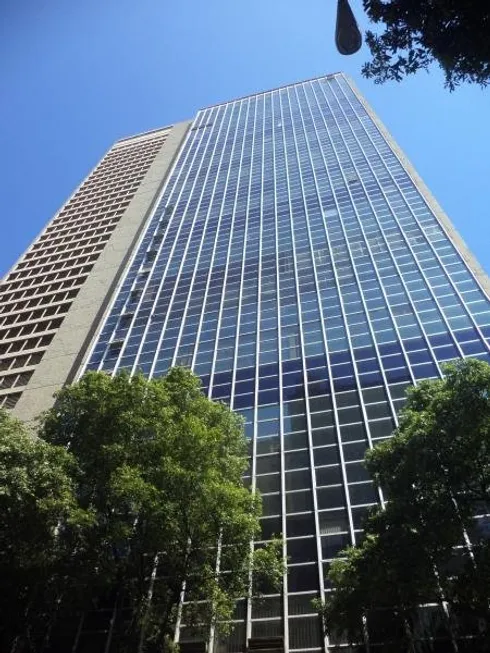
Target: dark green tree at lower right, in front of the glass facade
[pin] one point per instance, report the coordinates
(435, 471)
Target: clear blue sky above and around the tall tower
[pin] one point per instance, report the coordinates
(75, 75)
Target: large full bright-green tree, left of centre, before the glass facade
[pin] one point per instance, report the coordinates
(160, 467)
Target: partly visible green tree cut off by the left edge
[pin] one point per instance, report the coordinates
(37, 501)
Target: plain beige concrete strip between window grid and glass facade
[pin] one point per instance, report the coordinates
(68, 348)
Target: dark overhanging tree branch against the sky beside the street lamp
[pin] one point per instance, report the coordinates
(416, 33)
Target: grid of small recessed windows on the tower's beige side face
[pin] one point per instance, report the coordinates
(37, 294)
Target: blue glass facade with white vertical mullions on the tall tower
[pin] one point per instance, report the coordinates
(293, 262)
